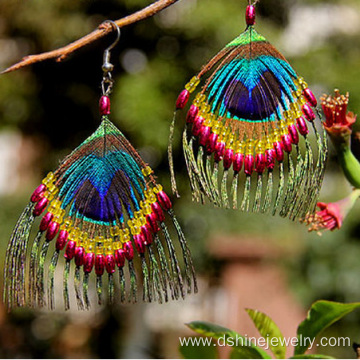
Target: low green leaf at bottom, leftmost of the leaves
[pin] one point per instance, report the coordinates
(243, 348)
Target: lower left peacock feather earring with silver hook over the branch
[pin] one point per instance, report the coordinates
(101, 203)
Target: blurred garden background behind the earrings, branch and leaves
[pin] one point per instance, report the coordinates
(242, 260)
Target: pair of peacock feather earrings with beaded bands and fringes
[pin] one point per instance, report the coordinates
(253, 112)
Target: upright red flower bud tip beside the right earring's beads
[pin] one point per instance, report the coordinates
(337, 120)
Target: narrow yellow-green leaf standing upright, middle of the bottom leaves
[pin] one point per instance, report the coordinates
(269, 331)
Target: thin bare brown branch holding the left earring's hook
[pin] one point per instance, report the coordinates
(102, 30)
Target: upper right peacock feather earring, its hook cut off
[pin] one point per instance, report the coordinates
(248, 129)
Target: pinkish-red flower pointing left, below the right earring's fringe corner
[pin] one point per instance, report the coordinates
(331, 215)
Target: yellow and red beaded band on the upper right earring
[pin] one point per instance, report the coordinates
(218, 138)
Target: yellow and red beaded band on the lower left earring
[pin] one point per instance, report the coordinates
(101, 252)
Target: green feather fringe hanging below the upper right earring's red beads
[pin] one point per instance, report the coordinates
(292, 193)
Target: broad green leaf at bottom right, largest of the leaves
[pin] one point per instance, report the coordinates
(321, 315)
